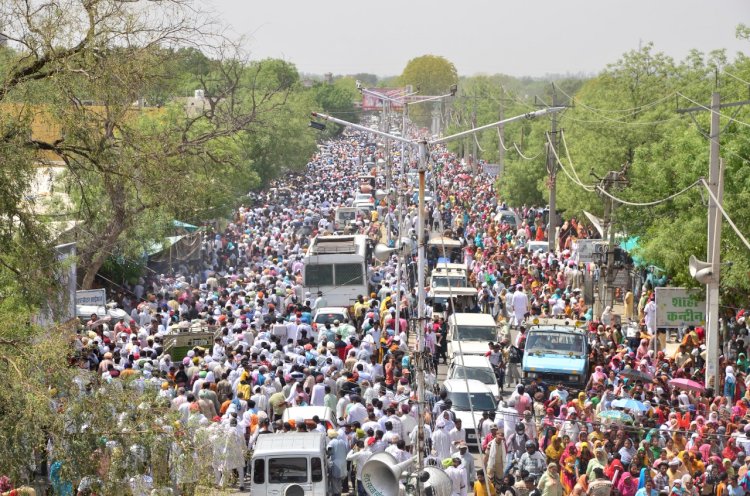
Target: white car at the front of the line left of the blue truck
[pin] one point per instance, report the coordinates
(468, 395)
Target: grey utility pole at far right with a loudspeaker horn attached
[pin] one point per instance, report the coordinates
(711, 278)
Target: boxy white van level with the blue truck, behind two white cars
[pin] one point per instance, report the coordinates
(469, 333)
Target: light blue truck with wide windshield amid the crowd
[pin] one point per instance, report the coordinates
(556, 354)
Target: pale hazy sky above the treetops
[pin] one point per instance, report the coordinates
(517, 37)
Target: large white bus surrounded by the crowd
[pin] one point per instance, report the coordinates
(337, 267)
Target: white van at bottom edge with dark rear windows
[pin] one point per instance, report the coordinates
(290, 463)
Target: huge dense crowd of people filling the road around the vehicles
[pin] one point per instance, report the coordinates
(674, 436)
